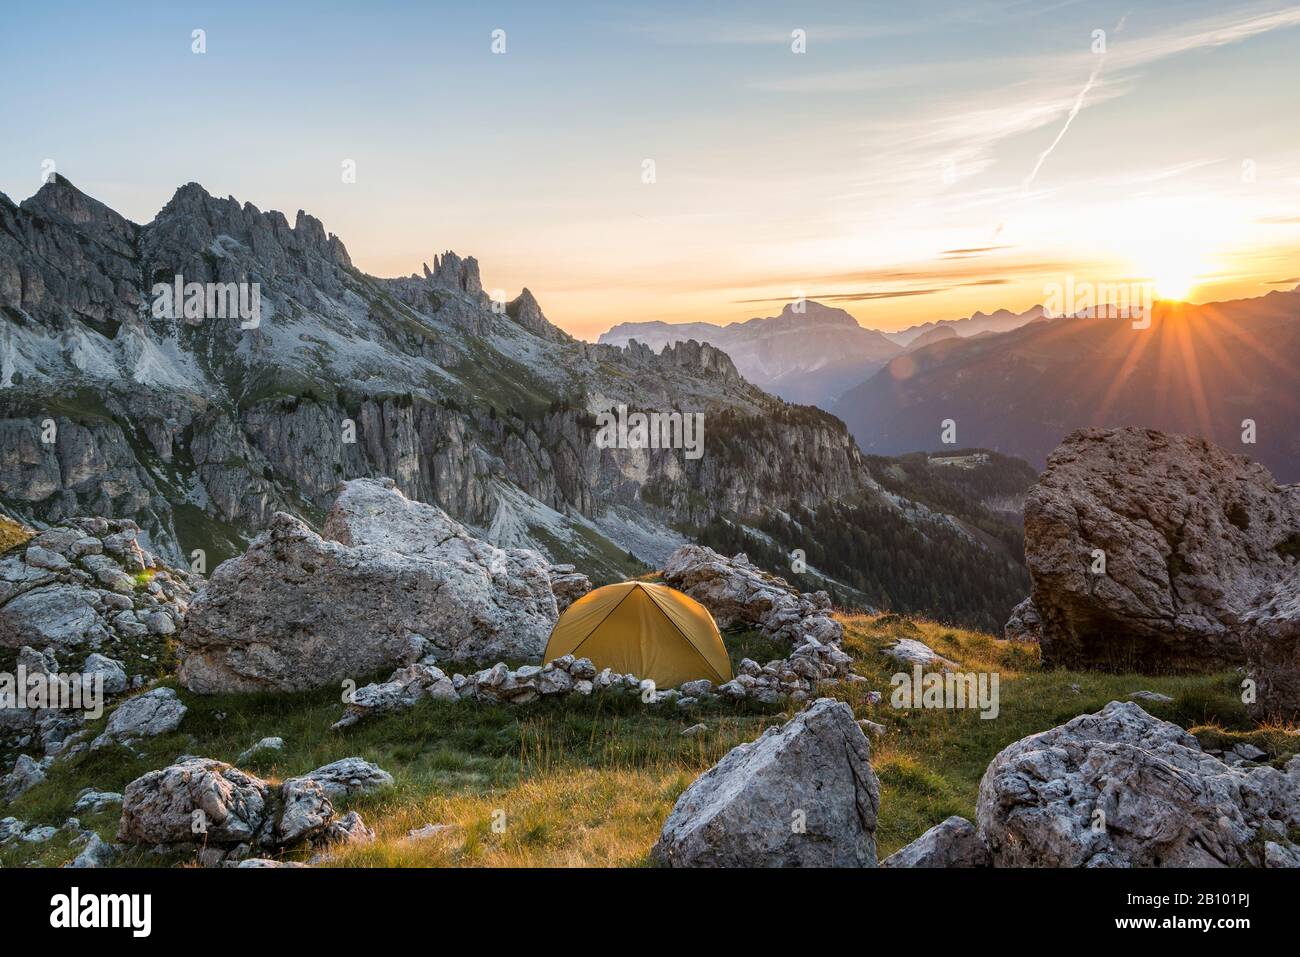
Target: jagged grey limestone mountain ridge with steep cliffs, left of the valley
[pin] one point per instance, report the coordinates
(202, 428)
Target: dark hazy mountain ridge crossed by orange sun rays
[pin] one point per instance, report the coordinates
(1198, 370)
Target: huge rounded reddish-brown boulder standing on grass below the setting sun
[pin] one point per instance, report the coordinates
(1190, 538)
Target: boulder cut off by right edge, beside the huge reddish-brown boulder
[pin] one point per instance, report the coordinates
(1273, 653)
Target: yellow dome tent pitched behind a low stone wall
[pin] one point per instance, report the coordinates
(649, 631)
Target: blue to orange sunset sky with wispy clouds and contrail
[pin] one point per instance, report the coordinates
(918, 162)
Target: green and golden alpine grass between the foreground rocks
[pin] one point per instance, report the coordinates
(590, 781)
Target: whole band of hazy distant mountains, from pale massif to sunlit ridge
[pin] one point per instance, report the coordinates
(1020, 383)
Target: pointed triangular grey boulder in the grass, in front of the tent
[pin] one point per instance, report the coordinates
(800, 796)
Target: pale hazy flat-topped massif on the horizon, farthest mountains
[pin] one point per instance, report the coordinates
(812, 353)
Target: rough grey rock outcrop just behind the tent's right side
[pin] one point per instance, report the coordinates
(738, 594)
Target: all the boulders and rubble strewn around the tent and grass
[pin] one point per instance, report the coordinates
(396, 584)
